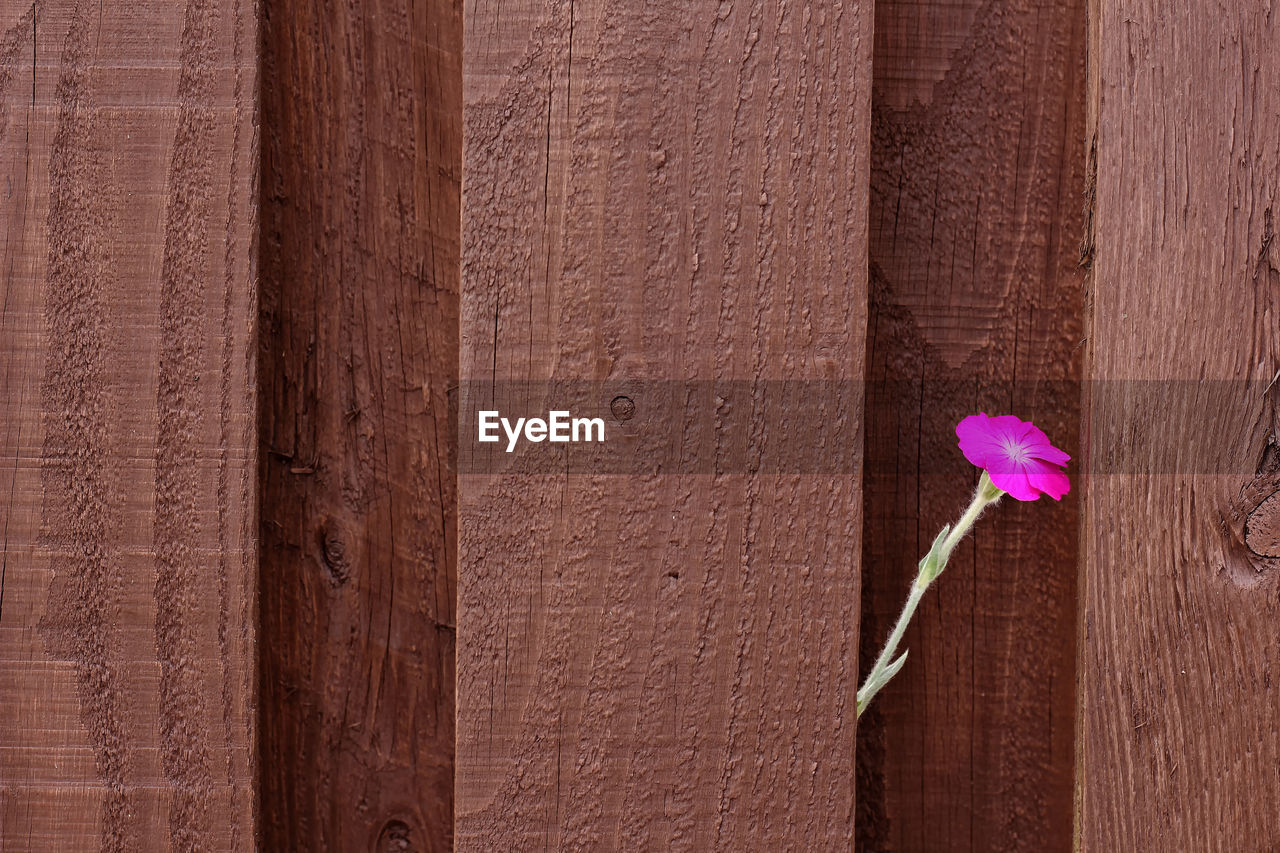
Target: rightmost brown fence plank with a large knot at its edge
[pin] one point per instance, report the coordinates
(1180, 705)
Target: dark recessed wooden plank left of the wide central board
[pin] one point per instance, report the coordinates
(363, 145)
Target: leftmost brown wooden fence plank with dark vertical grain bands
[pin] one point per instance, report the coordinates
(127, 443)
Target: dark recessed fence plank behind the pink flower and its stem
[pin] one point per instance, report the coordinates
(976, 222)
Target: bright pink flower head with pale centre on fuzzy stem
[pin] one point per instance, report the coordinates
(1018, 457)
